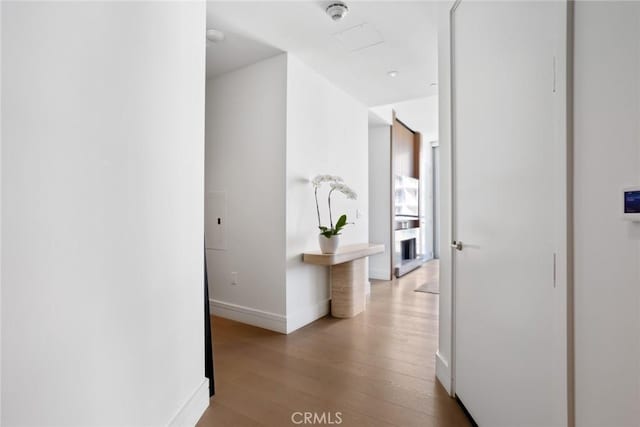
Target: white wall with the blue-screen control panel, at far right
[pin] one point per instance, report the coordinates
(607, 249)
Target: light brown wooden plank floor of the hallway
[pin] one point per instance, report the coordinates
(376, 369)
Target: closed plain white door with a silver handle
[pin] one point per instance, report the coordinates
(509, 187)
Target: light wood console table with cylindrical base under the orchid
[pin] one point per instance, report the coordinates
(348, 276)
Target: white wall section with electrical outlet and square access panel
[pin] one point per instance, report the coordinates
(245, 157)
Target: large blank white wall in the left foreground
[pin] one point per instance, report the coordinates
(102, 224)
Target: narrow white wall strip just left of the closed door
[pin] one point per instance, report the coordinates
(443, 356)
